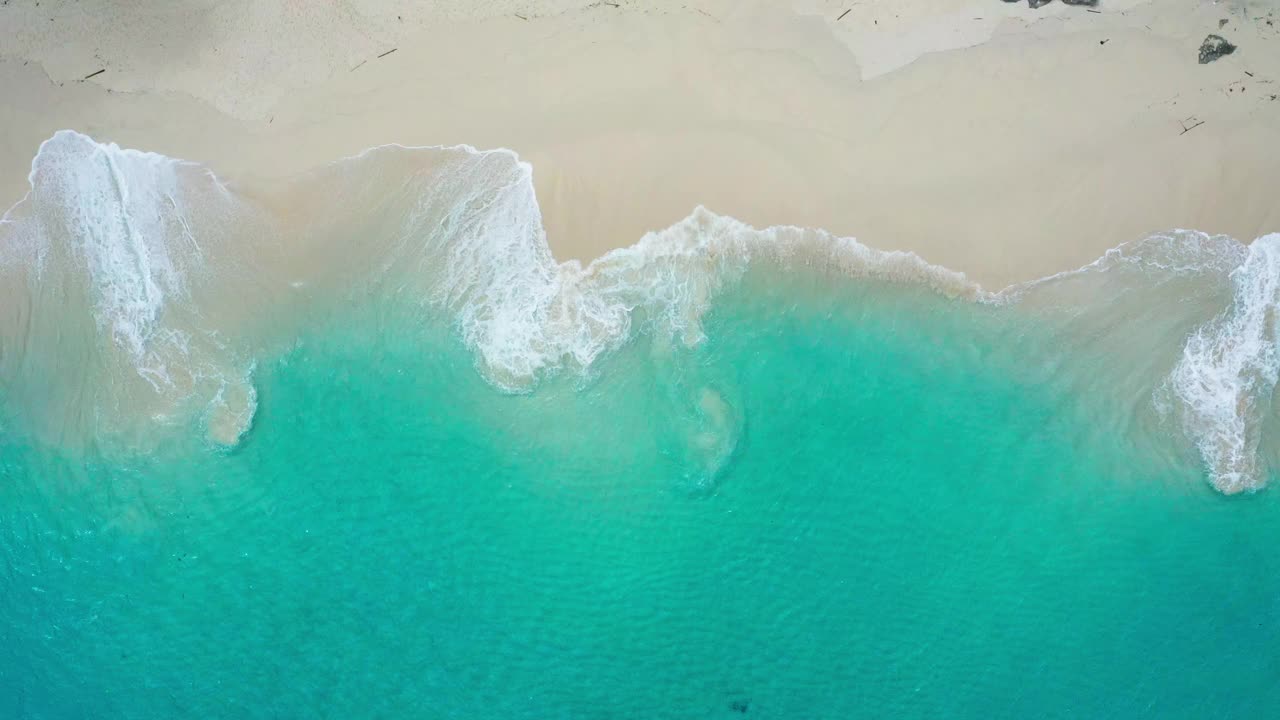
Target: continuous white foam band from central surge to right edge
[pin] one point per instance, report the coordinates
(524, 316)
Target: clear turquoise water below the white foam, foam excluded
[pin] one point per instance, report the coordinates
(851, 498)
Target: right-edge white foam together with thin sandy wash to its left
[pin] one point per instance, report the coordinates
(1219, 388)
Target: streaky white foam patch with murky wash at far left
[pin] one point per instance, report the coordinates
(121, 233)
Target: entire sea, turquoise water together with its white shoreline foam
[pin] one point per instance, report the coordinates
(360, 448)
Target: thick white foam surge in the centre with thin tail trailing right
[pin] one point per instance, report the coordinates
(483, 245)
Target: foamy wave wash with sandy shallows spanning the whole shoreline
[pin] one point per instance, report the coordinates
(139, 289)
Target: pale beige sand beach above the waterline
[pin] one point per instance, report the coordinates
(990, 138)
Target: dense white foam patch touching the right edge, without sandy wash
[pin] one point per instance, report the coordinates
(1229, 370)
